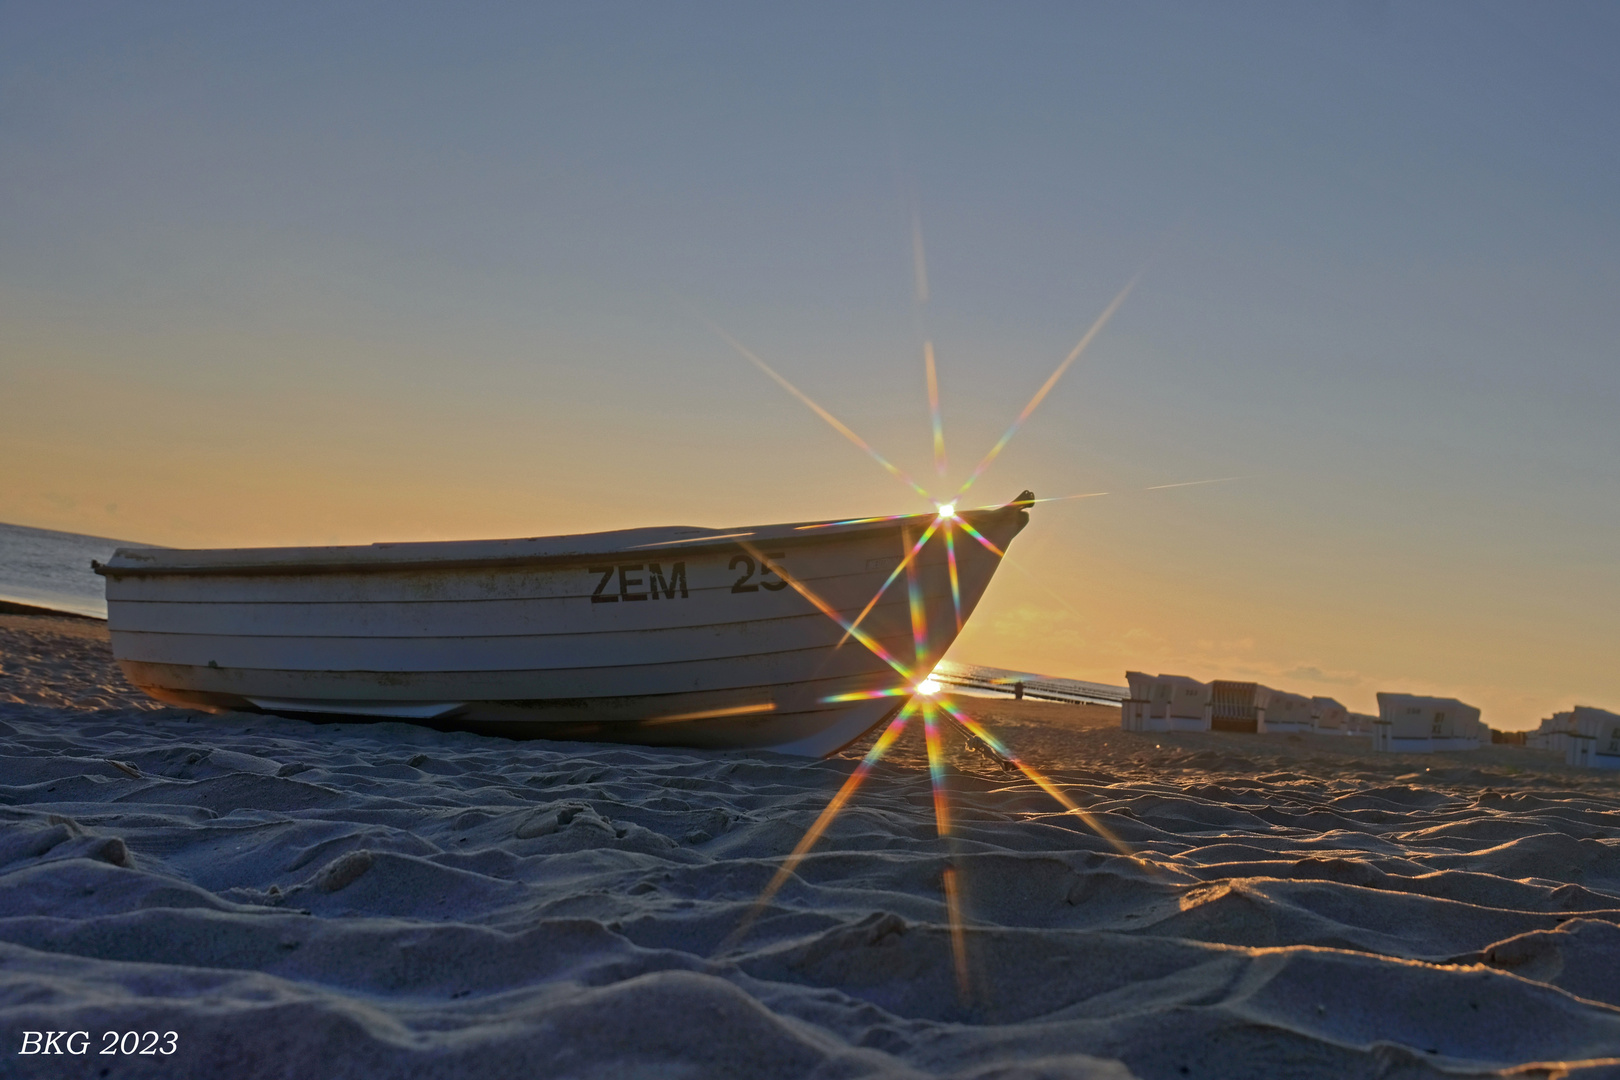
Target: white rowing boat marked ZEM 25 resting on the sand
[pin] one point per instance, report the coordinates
(671, 636)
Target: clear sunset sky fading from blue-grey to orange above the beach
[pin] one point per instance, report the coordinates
(346, 273)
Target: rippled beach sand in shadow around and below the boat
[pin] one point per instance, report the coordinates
(294, 899)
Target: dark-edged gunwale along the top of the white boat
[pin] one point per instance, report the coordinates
(774, 535)
